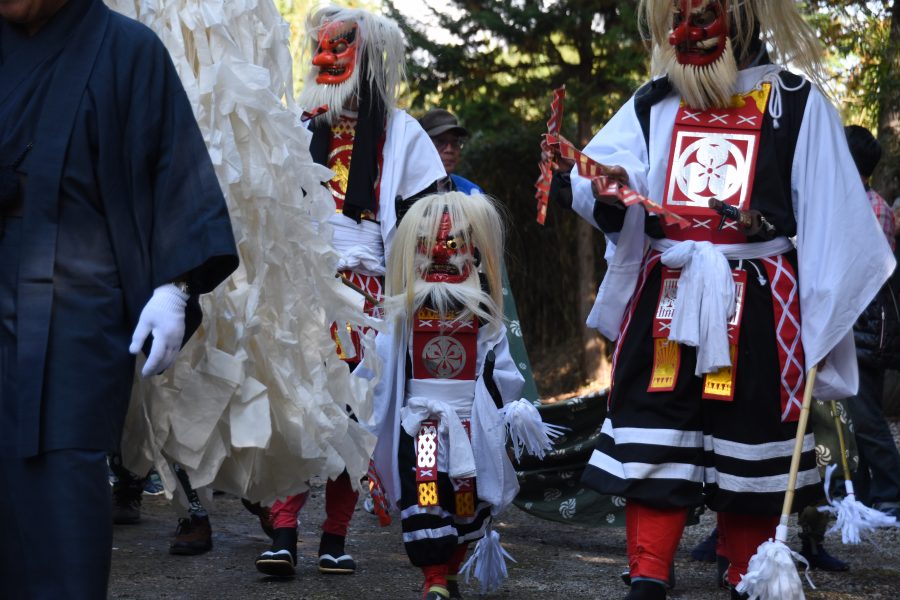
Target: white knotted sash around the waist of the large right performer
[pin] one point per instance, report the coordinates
(705, 299)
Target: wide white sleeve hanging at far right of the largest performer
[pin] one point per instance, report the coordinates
(843, 256)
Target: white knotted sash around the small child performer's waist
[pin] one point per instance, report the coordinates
(450, 402)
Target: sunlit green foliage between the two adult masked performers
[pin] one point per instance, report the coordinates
(505, 58)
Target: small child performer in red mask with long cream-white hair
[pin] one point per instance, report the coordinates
(450, 390)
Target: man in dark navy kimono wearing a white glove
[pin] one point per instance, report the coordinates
(111, 224)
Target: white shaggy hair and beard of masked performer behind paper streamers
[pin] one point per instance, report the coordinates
(380, 58)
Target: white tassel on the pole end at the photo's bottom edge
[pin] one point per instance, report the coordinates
(772, 573)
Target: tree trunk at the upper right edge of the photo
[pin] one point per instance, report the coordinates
(887, 178)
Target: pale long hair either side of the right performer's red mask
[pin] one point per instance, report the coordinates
(789, 38)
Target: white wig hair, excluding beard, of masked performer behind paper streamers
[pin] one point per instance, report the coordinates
(381, 51)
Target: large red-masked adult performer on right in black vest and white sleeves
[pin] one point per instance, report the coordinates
(710, 358)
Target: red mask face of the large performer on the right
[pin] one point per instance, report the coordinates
(699, 31)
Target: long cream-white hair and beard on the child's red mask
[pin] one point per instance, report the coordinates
(476, 223)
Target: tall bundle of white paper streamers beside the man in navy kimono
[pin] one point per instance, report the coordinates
(257, 402)
